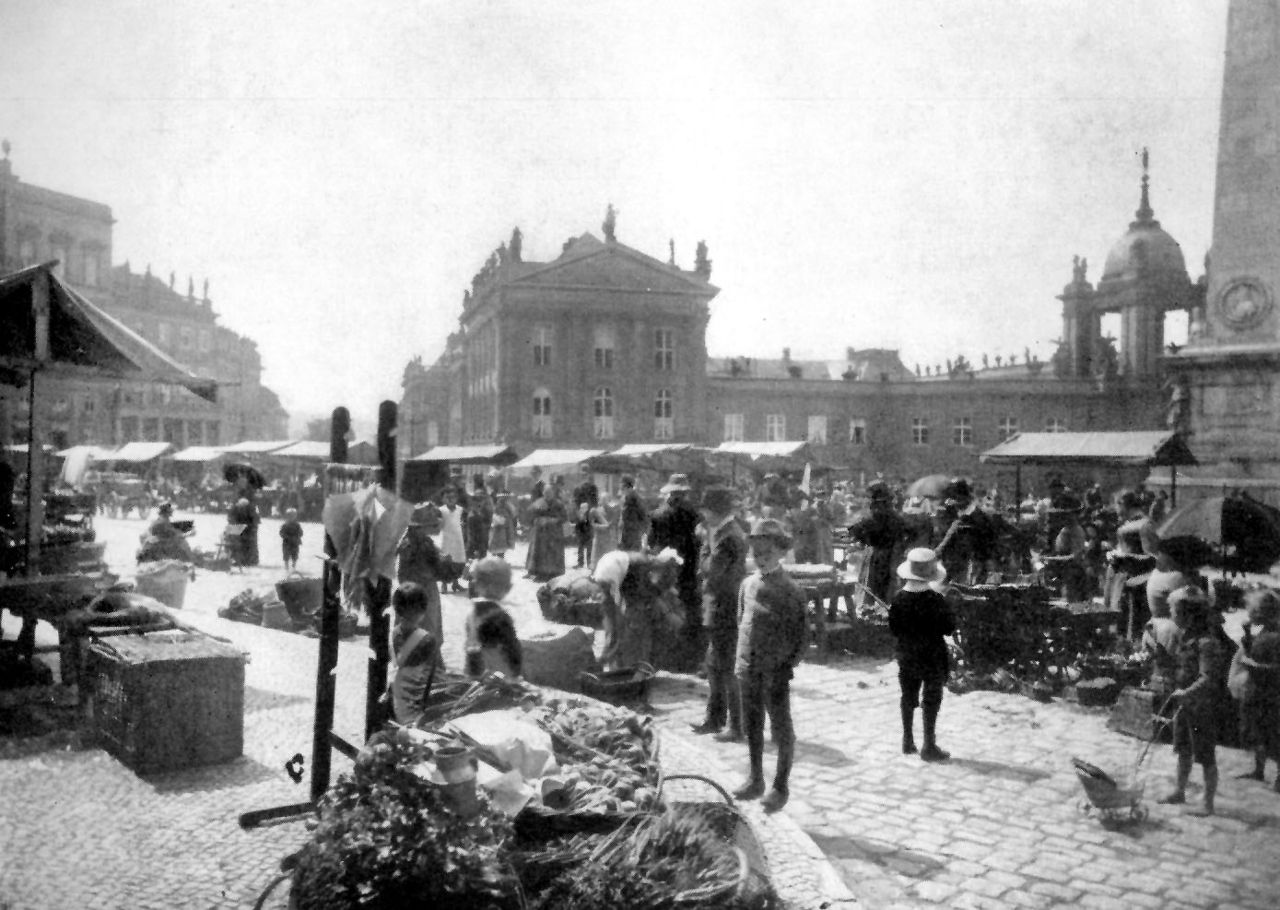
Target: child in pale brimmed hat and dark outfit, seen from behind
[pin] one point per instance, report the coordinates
(920, 619)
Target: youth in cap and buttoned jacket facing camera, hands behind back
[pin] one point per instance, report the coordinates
(771, 641)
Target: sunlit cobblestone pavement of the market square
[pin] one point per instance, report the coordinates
(996, 827)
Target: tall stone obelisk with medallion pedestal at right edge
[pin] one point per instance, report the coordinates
(1227, 377)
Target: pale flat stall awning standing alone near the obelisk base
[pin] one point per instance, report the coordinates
(1136, 449)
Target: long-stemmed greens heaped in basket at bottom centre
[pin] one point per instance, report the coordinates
(662, 862)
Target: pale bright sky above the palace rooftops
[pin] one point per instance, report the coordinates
(913, 175)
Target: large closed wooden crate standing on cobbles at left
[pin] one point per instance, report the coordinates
(167, 701)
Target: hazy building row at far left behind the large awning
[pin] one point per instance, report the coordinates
(38, 226)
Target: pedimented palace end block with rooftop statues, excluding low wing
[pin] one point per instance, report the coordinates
(601, 346)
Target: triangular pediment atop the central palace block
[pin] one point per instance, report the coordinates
(615, 267)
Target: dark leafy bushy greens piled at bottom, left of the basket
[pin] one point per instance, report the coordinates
(387, 840)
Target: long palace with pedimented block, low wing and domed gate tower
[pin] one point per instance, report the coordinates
(606, 346)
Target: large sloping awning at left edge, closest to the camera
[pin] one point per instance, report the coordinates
(81, 337)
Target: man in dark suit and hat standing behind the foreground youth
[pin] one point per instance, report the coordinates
(724, 566)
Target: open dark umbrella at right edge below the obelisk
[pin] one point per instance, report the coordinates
(1244, 532)
